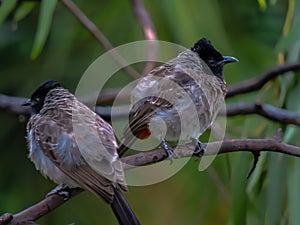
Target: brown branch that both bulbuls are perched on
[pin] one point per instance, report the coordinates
(255, 146)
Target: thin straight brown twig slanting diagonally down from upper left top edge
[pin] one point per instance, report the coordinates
(93, 29)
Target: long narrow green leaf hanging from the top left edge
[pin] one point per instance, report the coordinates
(45, 19)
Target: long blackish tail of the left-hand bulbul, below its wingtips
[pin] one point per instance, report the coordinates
(122, 209)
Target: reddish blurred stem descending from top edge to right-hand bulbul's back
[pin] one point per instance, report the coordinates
(145, 22)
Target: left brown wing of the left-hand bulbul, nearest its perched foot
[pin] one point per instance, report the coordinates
(60, 147)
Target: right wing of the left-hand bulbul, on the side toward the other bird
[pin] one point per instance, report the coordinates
(97, 144)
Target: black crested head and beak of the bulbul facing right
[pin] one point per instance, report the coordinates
(212, 57)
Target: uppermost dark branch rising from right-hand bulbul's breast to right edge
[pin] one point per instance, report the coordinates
(255, 84)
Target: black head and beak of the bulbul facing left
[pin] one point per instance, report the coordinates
(38, 97)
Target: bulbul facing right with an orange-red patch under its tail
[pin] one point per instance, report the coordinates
(179, 100)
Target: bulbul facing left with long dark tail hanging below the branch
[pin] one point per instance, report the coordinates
(74, 147)
